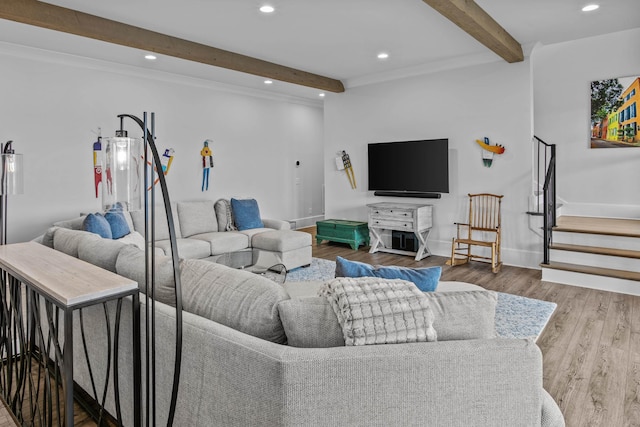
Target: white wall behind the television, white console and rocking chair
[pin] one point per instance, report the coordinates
(492, 100)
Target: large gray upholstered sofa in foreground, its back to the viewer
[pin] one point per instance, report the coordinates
(237, 369)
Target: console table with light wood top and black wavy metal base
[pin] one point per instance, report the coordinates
(51, 282)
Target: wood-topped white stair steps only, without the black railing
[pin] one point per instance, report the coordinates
(598, 253)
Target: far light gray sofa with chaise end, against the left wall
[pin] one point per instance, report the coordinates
(206, 230)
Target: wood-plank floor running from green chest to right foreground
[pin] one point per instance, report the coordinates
(591, 345)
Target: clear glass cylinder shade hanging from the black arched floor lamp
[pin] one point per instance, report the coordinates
(122, 173)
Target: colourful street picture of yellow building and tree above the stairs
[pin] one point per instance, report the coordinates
(614, 112)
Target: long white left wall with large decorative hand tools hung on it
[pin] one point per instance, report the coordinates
(51, 103)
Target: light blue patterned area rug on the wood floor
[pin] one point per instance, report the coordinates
(516, 316)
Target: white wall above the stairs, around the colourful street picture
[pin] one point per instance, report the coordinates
(561, 75)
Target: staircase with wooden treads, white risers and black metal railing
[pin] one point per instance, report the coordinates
(587, 251)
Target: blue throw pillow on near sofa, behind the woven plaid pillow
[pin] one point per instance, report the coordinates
(426, 278)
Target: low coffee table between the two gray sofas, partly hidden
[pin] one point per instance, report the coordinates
(256, 261)
